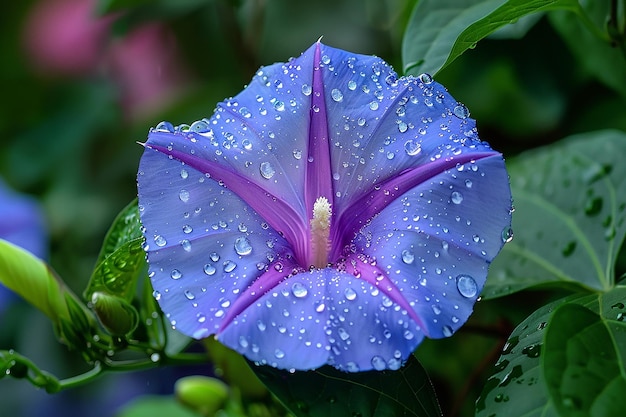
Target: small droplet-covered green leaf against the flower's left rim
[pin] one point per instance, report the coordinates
(122, 259)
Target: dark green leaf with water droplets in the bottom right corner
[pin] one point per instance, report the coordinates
(528, 362)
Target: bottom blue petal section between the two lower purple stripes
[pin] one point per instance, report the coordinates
(324, 317)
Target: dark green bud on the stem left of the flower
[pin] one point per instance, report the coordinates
(116, 315)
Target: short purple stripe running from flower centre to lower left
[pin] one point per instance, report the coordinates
(277, 272)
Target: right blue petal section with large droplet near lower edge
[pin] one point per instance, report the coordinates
(435, 242)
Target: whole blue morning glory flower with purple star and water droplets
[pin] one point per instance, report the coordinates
(330, 213)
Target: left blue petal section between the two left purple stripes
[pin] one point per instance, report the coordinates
(205, 244)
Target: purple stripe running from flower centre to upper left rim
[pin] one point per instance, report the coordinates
(278, 214)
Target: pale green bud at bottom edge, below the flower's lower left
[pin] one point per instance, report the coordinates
(202, 394)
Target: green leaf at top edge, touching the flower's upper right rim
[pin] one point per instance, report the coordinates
(439, 31)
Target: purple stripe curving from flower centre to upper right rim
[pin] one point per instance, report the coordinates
(364, 208)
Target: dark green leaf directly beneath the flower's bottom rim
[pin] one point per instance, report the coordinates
(328, 392)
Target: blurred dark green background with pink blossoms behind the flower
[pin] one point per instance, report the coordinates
(80, 89)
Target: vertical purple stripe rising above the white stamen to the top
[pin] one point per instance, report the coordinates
(318, 182)
